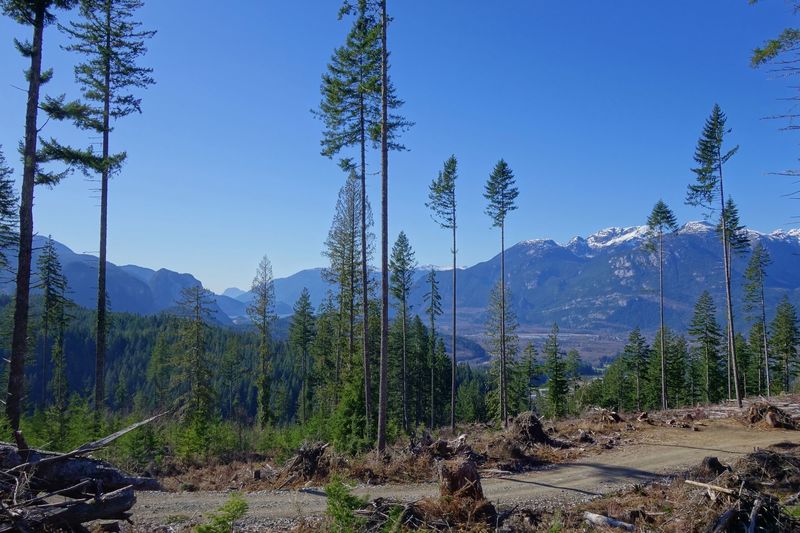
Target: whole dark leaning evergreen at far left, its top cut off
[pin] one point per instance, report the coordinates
(37, 14)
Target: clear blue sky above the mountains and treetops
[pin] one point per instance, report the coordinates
(595, 105)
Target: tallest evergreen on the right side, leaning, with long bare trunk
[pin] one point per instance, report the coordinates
(709, 188)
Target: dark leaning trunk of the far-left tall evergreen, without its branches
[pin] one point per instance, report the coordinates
(19, 339)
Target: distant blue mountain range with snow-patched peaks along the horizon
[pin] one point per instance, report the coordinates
(603, 283)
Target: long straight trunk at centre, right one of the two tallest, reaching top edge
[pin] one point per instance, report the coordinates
(383, 393)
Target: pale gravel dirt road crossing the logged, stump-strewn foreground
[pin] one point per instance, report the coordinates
(662, 451)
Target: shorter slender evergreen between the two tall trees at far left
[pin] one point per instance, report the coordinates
(53, 285)
